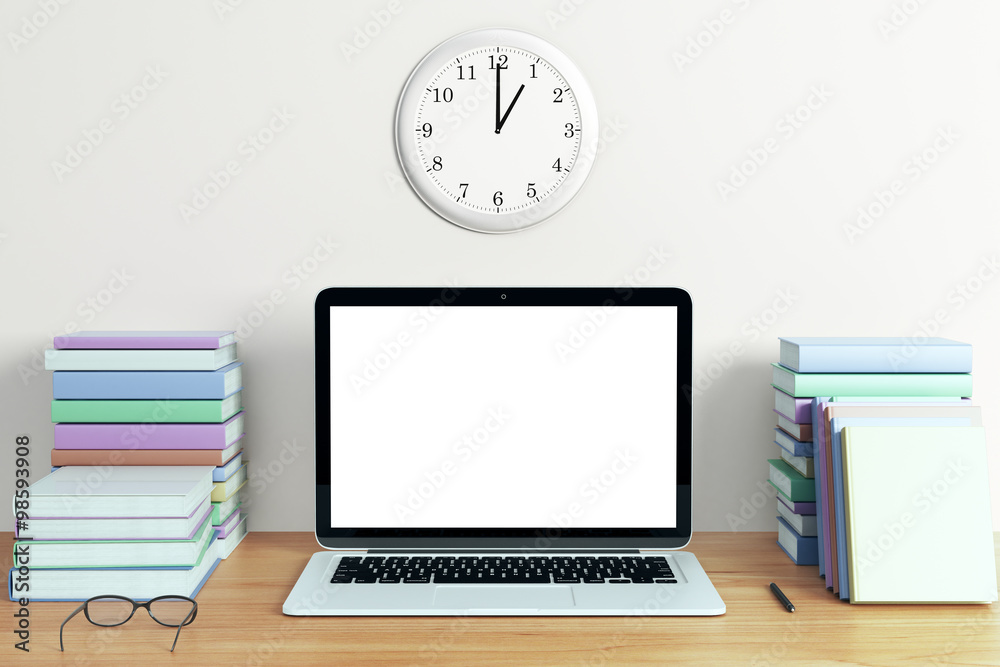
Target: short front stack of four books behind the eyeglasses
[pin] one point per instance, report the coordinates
(136, 531)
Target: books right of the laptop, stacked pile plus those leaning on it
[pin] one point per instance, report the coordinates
(843, 405)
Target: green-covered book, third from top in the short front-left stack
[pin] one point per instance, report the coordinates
(46, 554)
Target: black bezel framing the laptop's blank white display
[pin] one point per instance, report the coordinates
(514, 539)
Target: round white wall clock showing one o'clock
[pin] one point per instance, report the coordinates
(496, 130)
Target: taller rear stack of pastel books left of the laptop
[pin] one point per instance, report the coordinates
(154, 398)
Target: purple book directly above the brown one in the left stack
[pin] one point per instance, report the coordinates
(149, 435)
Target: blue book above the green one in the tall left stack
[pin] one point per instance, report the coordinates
(151, 385)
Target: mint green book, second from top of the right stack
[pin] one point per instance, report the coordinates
(805, 385)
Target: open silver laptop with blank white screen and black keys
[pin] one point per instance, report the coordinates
(503, 451)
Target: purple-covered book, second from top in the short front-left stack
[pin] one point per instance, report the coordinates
(125, 528)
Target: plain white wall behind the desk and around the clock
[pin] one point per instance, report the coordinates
(330, 176)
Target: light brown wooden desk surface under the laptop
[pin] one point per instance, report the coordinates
(240, 622)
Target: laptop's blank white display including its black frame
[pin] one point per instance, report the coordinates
(488, 415)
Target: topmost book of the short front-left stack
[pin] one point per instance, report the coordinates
(120, 491)
